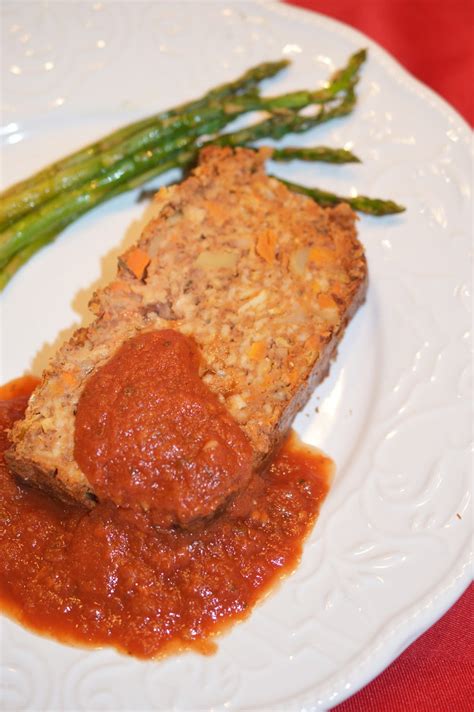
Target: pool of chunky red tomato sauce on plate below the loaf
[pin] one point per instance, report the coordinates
(107, 577)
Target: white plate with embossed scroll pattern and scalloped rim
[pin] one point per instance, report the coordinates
(390, 552)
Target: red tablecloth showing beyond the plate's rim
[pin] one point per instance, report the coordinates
(434, 40)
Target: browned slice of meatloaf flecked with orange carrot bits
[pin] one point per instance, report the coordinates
(263, 279)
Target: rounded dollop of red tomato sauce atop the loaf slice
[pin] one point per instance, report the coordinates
(150, 434)
